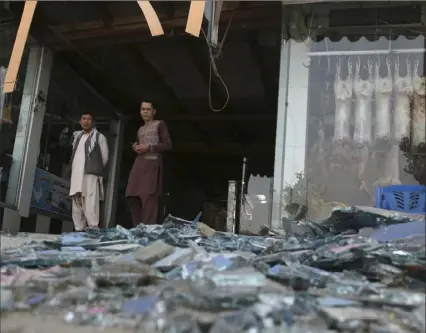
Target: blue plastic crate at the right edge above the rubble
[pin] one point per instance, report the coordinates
(402, 198)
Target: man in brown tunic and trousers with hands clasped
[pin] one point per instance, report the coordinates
(145, 181)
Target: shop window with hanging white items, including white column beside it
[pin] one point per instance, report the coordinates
(355, 120)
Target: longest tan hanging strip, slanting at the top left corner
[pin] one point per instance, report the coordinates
(18, 47)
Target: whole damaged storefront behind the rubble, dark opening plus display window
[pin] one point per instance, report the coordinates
(310, 117)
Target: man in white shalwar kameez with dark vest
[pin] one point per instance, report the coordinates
(88, 161)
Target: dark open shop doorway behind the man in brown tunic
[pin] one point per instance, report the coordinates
(220, 104)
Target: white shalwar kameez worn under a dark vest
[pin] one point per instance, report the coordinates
(86, 190)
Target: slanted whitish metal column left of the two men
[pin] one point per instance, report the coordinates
(28, 134)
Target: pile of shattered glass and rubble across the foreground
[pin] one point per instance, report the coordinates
(185, 277)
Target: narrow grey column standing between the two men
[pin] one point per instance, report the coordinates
(111, 195)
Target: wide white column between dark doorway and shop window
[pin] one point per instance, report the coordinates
(290, 143)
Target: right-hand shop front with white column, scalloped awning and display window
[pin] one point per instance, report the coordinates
(351, 114)
